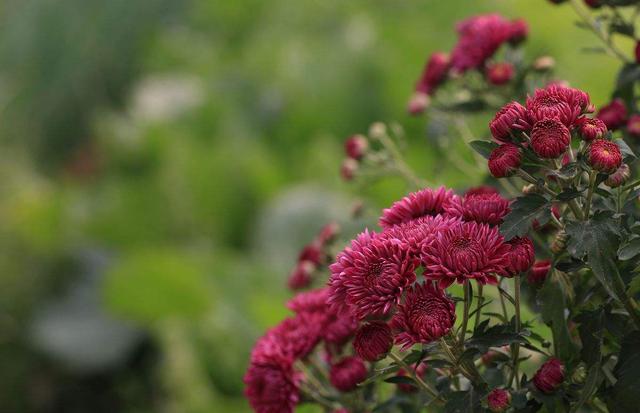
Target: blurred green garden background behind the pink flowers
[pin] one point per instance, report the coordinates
(162, 161)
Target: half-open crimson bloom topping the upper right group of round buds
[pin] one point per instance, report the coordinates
(558, 102)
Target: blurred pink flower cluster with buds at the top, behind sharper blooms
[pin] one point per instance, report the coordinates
(479, 38)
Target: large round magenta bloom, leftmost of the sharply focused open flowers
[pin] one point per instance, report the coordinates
(368, 278)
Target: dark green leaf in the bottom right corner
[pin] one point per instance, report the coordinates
(624, 394)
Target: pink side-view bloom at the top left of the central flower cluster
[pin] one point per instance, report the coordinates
(415, 205)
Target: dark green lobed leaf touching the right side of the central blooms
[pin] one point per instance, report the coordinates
(523, 211)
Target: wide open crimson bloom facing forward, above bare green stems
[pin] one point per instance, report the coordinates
(466, 251)
